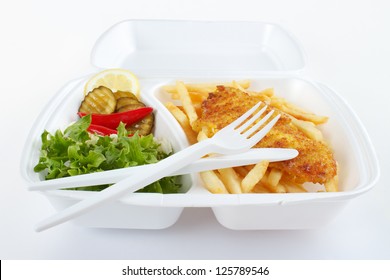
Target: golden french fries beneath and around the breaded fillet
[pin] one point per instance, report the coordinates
(257, 178)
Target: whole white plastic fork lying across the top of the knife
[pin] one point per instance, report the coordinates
(234, 138)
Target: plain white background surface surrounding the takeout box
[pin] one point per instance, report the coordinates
(44, 44)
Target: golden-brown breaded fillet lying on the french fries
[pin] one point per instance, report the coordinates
(315, 162)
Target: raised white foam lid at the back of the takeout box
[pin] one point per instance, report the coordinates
(166, 48)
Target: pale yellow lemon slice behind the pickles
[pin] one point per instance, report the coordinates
(114, 79)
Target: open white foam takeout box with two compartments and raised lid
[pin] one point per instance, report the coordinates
(161, 52)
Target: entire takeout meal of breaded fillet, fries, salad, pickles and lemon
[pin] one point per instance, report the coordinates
(115, 130)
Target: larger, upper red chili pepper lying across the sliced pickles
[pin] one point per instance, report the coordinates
(113, 120)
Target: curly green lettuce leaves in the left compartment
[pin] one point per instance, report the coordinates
(75, 151)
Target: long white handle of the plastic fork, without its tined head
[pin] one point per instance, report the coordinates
(131, 184)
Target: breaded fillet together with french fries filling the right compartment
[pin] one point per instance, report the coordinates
(203, 109)
